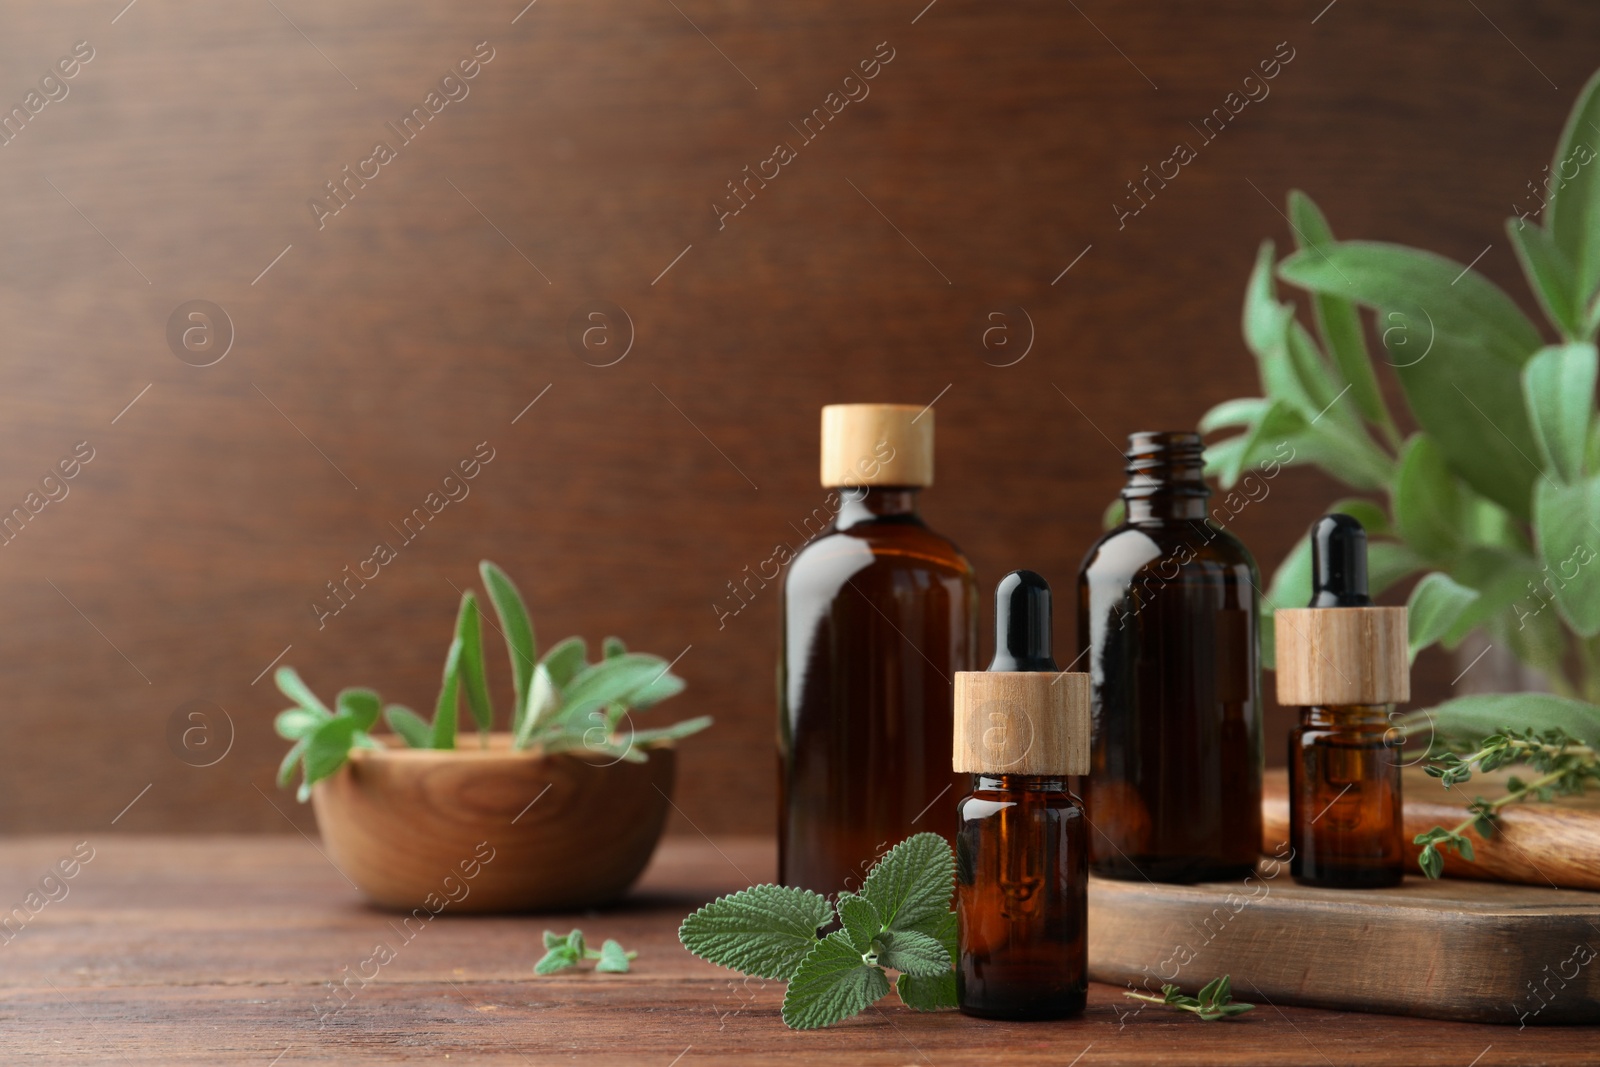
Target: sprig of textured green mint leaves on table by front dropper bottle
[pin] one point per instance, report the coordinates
(902, 921)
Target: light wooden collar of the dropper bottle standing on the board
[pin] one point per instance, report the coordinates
(1342, 657)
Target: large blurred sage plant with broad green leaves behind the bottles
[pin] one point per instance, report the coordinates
(1492, 503)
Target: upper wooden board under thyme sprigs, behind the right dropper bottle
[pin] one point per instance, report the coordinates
(1546, 845)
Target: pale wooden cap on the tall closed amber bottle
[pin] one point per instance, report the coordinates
(878, 444)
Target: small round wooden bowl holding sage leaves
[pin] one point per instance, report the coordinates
(492, 829)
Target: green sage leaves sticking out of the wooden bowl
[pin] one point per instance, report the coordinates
(562, 701)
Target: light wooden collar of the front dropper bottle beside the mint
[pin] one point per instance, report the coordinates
(1022, 722)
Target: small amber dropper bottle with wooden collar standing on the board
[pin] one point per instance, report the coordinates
(1345, 665)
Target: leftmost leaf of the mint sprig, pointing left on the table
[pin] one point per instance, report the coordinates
(764, 930)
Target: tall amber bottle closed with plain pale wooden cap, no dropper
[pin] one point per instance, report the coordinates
(879, 613)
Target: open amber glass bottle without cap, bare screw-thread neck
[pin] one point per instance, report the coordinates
(1167, 626)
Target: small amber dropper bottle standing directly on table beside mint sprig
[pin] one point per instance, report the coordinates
(1022, 858)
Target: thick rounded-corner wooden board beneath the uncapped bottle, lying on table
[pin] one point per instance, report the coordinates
(1466, 951)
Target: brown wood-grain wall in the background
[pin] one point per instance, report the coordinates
(375, 353)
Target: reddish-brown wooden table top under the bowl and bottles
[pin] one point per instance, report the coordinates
(218, 951)
